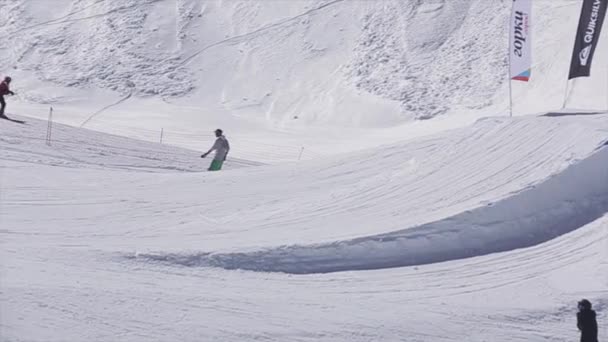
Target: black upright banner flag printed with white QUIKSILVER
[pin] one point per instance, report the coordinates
(587, 37)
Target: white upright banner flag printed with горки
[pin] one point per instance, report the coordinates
(520, 40)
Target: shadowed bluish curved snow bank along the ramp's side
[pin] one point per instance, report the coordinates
(534, 214)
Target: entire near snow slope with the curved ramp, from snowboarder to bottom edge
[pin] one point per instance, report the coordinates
(97, 254)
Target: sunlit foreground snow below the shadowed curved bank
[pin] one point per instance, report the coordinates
(63, 292)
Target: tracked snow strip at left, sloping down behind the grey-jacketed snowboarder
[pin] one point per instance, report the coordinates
(83, 148)
